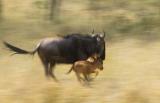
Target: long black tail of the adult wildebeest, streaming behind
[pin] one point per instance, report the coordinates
(19, 50)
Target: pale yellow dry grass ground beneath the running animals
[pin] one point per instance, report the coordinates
(131, 75)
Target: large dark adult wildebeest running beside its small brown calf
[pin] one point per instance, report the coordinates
(66, 49)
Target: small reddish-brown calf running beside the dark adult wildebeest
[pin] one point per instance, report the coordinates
(86, 67)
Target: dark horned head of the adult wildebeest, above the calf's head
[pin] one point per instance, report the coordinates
(100, 38)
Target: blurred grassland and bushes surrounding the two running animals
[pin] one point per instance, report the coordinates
(131, 69)
